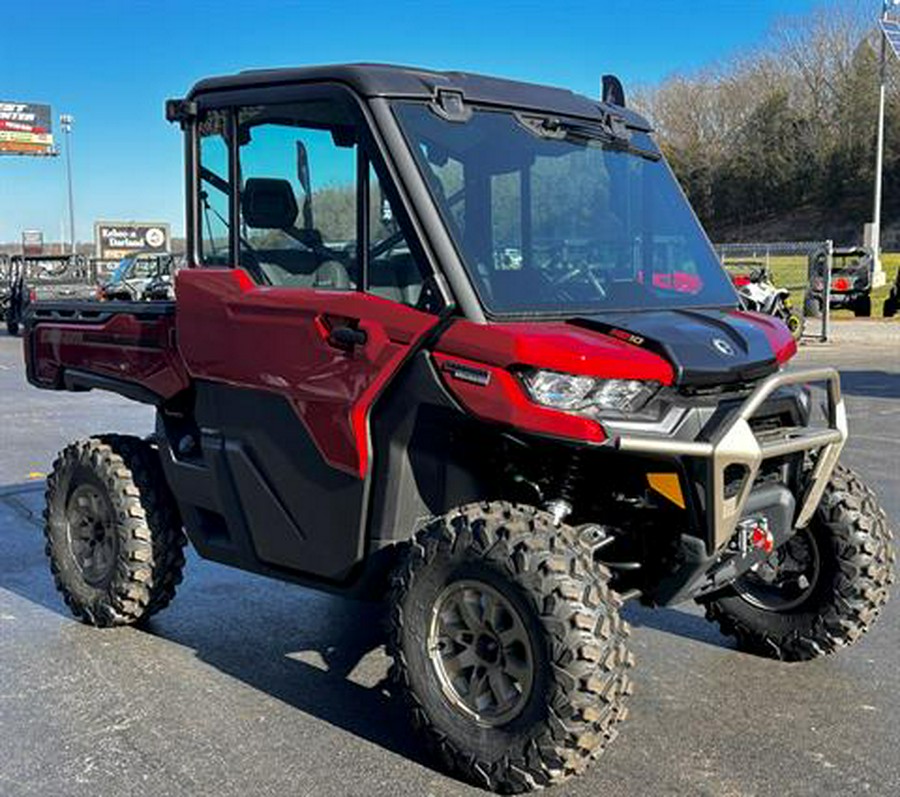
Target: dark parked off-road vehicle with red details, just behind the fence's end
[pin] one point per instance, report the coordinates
(851, 282)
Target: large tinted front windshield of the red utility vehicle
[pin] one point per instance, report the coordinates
(559, 217)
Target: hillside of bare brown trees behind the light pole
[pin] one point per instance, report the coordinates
(779, 144)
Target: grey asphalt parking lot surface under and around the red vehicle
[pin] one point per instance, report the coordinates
(246, 686)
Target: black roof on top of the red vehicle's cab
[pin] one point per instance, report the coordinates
(384, 80)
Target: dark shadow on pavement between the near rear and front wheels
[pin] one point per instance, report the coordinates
(308, 650)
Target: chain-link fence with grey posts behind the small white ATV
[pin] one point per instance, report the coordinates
(790, 279)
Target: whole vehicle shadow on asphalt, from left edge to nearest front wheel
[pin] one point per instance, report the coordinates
(307, 649)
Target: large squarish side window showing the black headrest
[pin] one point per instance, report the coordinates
(298, 195)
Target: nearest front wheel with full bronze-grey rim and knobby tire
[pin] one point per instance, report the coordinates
(508, 647)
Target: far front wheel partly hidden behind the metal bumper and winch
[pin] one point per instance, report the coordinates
(821, 590)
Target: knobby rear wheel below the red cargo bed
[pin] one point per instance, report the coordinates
(113, 533)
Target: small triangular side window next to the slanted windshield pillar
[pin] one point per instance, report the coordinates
(396, 270)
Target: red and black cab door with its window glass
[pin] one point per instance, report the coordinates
(288, 344)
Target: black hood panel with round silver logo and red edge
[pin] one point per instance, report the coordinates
(704, 347)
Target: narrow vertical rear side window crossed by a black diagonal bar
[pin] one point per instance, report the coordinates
(213, 209)
